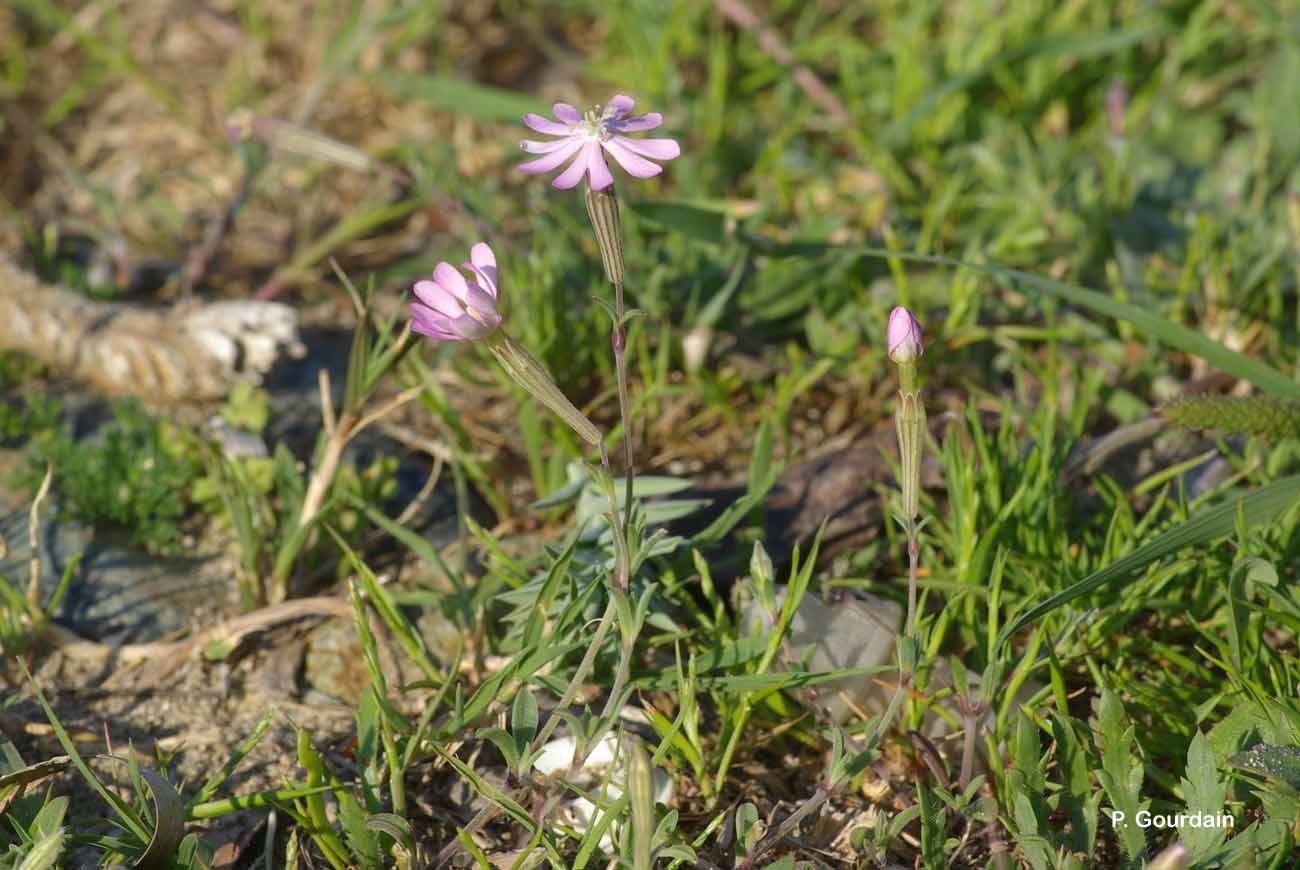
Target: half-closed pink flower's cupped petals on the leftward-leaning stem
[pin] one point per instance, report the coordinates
(453, 309)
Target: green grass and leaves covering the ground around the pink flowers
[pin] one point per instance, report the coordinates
(1111, 640)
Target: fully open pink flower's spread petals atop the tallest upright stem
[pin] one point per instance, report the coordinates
(586, 135)
